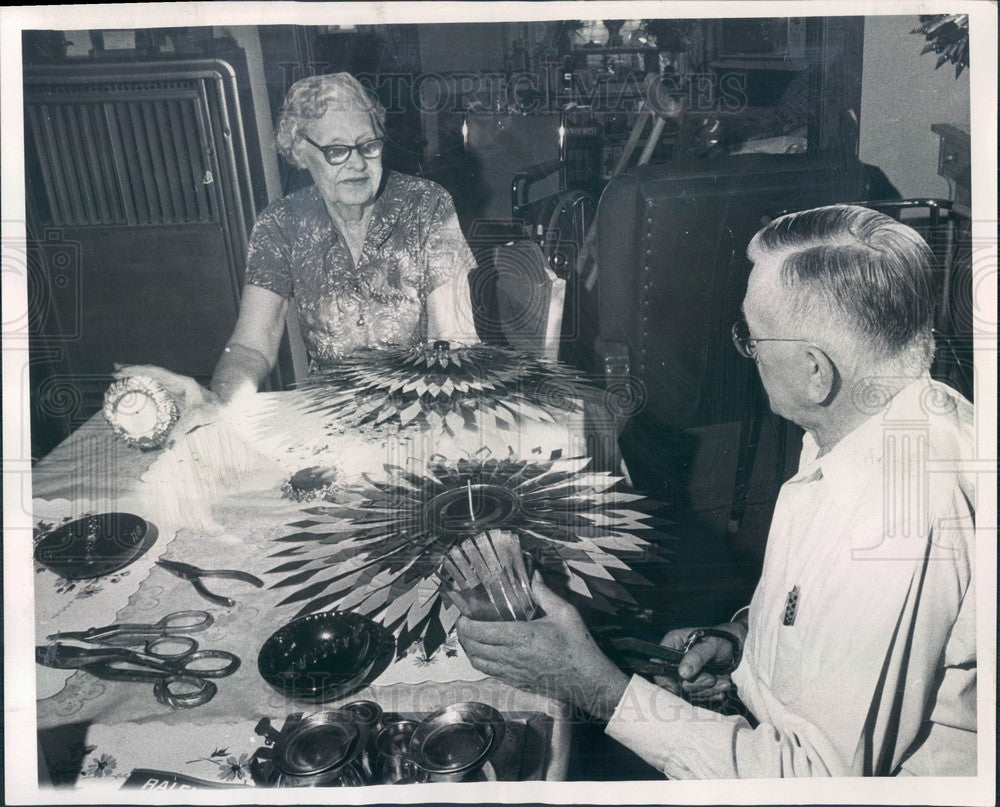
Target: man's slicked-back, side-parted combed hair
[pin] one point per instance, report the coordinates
(878, 272)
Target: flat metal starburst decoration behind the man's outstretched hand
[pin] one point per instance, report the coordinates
(382, 554)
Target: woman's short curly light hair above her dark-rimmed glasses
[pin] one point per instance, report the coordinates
(313, 97)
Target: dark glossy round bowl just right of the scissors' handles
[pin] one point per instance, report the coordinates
(322, 657)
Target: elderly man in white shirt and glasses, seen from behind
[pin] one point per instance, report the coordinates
(858, 654)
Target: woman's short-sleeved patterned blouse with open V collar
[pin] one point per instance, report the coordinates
(413, 245)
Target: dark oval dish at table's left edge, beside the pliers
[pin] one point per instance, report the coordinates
(95, 545)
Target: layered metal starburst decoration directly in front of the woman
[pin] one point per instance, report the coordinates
(435, 386)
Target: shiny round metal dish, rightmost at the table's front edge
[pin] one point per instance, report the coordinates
(457, 739)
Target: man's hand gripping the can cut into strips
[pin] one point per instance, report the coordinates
(554, 655)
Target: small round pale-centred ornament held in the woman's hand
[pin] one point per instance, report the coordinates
(140, 412)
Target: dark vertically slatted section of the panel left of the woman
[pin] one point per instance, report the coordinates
(124, 154)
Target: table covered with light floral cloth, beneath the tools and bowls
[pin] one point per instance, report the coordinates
(221, 512)
